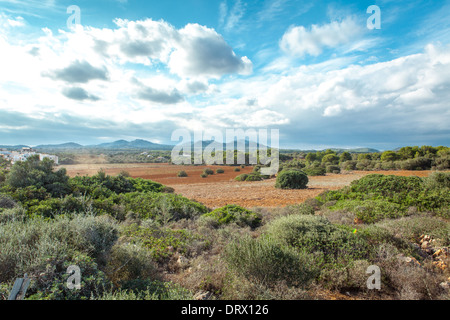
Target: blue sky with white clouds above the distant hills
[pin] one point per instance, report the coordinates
(323, 73)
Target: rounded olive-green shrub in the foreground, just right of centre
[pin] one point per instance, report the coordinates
(266, 261)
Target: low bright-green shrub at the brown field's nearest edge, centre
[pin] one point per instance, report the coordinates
(233, 213)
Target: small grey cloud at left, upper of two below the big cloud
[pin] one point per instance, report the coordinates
(79, 72)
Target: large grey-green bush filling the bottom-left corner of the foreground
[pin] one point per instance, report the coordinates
(45, 249)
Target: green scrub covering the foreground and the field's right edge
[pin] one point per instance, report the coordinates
(136, 239)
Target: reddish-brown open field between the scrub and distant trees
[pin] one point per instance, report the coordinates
(220, 189)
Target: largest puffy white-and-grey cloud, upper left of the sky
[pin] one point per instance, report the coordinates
(194, 51)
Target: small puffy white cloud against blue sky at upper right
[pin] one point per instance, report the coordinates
(301, 41)
